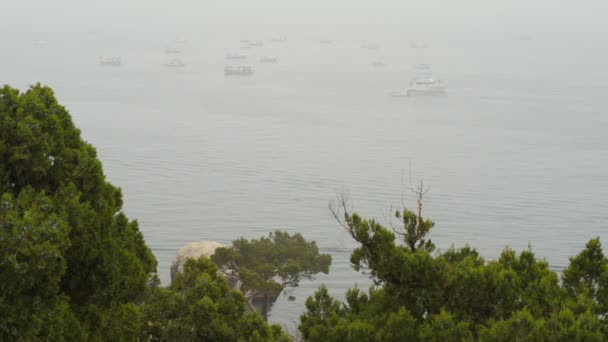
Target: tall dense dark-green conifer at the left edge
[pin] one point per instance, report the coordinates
(69, 258)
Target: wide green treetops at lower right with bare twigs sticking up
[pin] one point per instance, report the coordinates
(456, 295)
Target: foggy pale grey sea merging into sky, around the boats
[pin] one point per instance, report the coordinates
(516, 152)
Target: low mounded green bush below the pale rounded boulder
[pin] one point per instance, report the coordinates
(199, 306)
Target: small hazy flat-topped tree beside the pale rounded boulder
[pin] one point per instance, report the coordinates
(266, 266)
